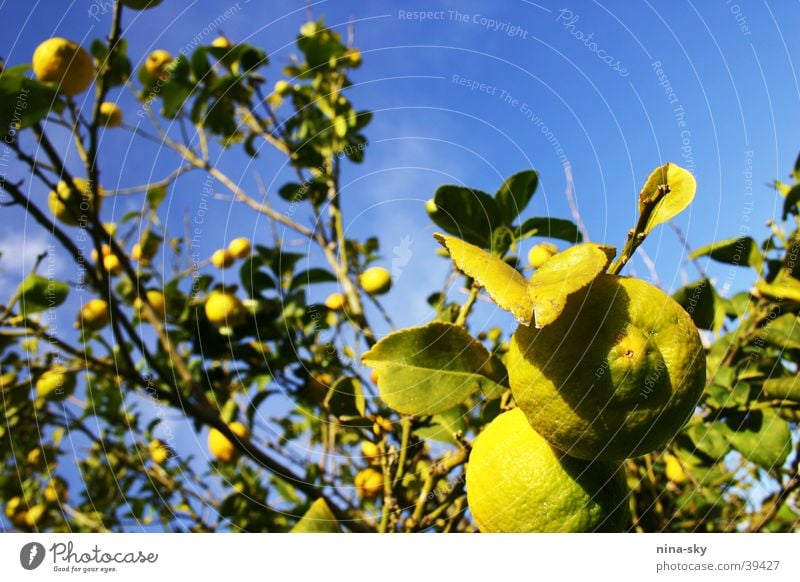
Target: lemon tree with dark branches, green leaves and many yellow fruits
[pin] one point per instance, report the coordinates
(245, 387)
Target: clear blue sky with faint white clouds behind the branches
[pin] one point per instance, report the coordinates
(476, 91)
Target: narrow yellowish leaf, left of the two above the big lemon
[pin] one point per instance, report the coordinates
(504, 284)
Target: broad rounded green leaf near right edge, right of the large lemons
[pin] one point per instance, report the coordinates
(762, 437)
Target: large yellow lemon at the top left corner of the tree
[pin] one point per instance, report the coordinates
(64, 63)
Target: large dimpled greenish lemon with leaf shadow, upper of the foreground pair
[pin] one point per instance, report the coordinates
(615, 376)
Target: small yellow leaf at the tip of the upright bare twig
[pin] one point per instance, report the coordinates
(682, 187)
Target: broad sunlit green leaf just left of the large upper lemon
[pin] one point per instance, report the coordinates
(429, 369)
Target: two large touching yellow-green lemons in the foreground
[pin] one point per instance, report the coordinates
(615, 376)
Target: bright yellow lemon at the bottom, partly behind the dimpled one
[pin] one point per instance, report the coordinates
(517, 482)
